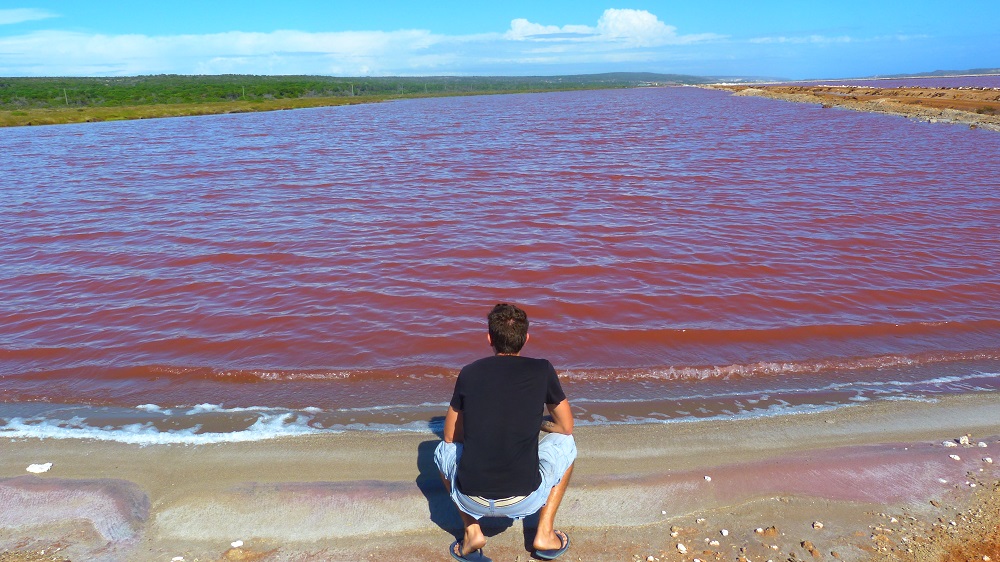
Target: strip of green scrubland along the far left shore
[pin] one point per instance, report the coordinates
(47, 101)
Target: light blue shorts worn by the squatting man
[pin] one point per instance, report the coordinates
(556, 453)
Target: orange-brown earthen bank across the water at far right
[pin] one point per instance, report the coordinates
(971, 106)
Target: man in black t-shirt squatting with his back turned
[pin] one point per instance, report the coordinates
(491, 460)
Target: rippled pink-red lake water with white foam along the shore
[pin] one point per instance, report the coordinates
(678, 251)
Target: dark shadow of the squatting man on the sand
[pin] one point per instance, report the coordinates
(443, 512)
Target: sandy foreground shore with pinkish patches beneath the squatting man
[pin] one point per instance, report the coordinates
(870, 474)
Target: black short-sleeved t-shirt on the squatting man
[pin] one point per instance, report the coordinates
(502, 400)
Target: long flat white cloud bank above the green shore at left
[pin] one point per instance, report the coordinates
(278, 52)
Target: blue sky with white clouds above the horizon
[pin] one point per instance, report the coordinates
(773, 38)
